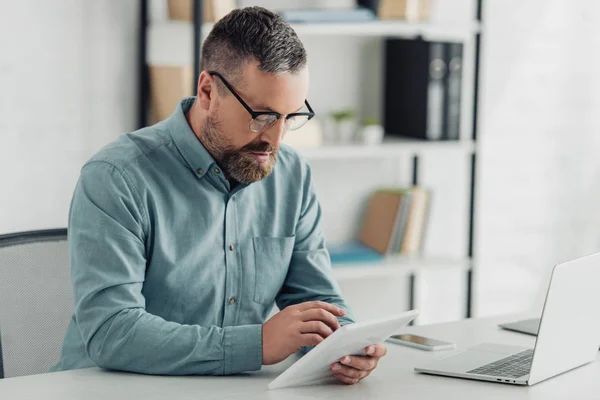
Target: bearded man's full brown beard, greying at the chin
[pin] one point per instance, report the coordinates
(238, 163)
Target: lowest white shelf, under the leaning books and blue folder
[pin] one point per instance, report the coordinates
(398, 266)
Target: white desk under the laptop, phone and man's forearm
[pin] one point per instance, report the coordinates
(393, 379)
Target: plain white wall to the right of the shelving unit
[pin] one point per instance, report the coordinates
(539, 181)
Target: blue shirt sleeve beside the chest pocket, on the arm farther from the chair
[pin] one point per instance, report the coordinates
(309, 276)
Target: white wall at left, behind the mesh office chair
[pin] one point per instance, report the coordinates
(67, 86)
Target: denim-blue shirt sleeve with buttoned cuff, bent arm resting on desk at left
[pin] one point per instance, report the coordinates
(107, 236)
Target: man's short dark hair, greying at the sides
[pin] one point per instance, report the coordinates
(252, 33)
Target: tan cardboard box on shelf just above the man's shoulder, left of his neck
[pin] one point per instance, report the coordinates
(168, 85)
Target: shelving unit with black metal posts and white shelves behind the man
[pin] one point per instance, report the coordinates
(191, 35)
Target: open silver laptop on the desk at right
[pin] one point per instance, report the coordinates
(568, 336)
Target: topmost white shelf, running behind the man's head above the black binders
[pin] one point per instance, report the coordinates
(170, 42)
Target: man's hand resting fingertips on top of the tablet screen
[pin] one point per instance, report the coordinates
(304, 324)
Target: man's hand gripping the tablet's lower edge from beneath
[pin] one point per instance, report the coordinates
(352, 369)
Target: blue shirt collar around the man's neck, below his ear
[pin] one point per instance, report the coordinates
(193, 151)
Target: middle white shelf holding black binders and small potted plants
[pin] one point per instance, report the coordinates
(387, 149)
